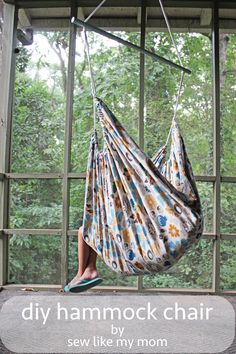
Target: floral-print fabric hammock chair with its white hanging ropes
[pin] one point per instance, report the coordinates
(141, 214)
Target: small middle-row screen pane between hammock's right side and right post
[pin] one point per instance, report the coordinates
(205, 191)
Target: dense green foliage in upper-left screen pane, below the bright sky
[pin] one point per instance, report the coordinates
(38, 132)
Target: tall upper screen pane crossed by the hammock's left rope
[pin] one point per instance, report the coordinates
(116, 71)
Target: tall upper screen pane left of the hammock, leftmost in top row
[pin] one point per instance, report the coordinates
(40, 101)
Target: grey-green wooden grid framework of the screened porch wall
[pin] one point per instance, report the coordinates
(6, 107)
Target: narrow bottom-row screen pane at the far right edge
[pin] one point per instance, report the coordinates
(228, 264)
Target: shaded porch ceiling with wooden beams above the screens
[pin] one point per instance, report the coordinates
(184, 16)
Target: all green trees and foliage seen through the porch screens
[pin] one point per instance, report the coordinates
(39, 133)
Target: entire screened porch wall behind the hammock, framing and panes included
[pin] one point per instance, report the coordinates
(52, 124)
